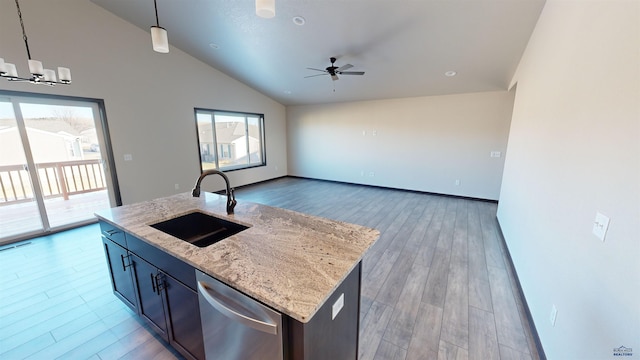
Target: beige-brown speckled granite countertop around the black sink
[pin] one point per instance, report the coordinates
(285, 259)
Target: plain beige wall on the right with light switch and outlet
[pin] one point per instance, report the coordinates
(574, 150)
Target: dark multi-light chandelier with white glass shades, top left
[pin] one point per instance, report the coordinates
(39, 75)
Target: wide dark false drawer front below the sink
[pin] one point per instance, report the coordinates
(175, 267)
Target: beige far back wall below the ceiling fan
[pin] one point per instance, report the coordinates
(423, 143)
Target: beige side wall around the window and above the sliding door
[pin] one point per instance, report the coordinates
(149, 97)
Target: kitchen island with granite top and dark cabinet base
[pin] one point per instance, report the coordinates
(305, 267)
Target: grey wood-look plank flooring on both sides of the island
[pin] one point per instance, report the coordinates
(436, 285)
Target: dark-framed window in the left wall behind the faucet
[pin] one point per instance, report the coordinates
(230, 140)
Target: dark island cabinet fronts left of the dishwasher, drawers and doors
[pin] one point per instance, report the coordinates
(158, 287)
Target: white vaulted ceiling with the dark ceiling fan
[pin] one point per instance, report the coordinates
(404, 46)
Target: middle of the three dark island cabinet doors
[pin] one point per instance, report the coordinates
(151, 304)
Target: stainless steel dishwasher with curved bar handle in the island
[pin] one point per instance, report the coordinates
(235, 326)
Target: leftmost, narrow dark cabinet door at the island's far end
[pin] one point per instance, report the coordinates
(120, 270)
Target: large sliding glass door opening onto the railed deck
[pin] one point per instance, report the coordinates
(54, 170)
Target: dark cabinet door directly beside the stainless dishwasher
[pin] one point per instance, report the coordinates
(184, 318)
